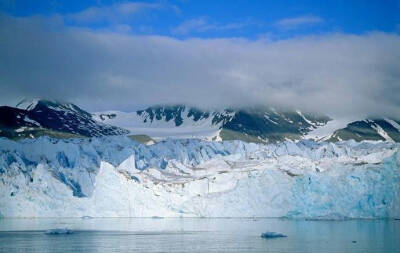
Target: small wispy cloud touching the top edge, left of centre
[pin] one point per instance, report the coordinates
(113, 13)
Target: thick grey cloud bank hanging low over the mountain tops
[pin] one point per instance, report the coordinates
(338, 74)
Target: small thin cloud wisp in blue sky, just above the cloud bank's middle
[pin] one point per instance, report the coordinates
(201, 25)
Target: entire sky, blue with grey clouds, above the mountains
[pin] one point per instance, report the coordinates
(335, 57)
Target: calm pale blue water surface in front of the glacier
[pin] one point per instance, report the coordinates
(198, 235)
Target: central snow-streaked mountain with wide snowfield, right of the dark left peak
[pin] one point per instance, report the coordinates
(259, 124)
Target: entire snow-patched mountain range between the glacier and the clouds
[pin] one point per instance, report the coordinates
(33, 118)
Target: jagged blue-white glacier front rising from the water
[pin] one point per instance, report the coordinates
(118, 177)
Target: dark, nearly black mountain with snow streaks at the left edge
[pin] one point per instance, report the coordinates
(32, 118)
